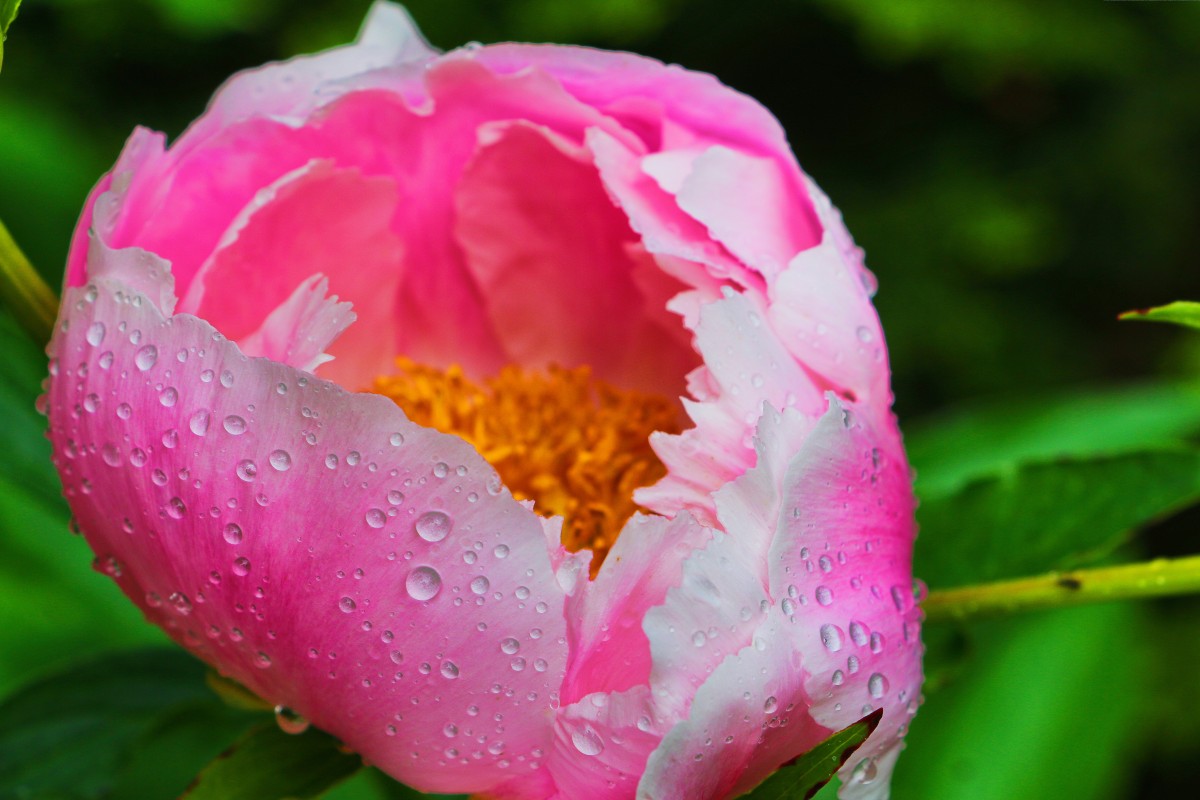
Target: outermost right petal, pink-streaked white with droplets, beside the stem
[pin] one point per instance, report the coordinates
(843, 557)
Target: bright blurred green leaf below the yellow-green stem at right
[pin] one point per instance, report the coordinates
(1049, 706)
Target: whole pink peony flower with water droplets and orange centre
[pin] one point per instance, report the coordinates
(559, 243)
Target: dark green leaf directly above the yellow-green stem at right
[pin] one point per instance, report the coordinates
(1036, 518)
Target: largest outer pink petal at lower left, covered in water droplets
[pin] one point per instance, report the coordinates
(311, 544)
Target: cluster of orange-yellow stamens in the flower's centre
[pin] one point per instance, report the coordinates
(574, 446)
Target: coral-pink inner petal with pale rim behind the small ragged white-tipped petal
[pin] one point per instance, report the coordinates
(313, 220)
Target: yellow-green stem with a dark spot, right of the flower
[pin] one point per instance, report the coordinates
(1156, 579)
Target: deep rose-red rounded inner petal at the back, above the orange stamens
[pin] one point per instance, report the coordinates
(561, 288)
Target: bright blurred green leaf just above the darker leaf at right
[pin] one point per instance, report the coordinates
(951, 449)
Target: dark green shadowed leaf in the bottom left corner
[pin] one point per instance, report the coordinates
(131, 725)
